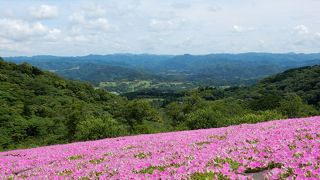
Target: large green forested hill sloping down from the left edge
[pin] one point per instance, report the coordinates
(40, 108)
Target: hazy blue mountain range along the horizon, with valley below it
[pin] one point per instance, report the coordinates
(202, 70)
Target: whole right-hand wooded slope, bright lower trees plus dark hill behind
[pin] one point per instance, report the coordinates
(293, 93)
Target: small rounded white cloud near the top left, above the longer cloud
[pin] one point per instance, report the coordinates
(44, 12)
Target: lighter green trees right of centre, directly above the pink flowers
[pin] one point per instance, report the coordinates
(194, 112)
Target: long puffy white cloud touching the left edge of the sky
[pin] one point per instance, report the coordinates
(19, 30)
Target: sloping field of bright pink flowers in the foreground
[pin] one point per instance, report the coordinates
(282, 149)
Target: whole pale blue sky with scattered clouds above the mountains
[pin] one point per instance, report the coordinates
(81, 27)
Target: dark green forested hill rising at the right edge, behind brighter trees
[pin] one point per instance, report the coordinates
(303, 82)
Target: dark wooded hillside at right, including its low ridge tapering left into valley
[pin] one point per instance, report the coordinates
(303, 81)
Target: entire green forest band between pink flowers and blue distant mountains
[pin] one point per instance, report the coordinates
(40, 108)
